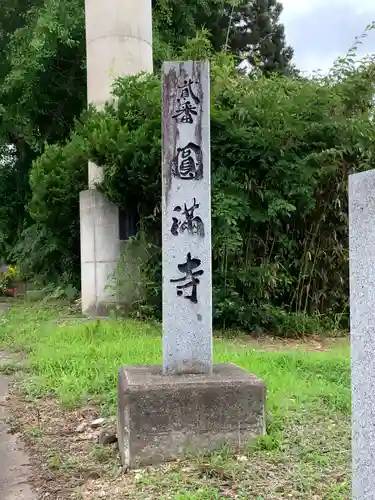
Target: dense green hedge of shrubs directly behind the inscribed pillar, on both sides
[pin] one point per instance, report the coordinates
(282, 150)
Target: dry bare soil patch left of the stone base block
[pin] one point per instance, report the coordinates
(63, 459)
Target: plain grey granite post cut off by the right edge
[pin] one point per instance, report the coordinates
(362, 330)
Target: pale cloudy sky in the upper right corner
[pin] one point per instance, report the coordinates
(321, 30)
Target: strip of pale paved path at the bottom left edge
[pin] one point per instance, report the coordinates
(15, 467)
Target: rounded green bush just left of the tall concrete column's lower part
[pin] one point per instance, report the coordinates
(50, 248)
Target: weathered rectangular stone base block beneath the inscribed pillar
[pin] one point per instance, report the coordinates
(161, 418)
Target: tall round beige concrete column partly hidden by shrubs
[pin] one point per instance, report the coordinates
(119, 43)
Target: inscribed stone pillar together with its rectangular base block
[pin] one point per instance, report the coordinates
(188, 404)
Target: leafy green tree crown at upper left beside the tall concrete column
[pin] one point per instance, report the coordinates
(45, 86)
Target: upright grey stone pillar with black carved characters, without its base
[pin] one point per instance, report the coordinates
(186, 216)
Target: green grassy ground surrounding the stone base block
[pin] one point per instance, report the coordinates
(304, 455)
